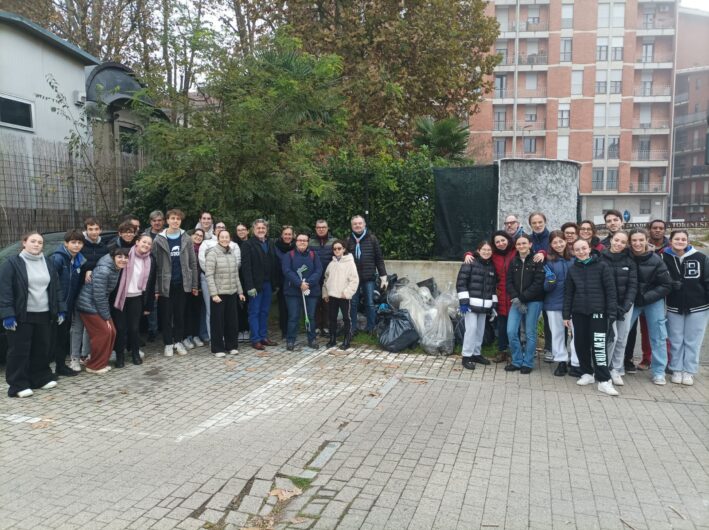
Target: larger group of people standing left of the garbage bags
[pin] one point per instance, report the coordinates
(86, 300)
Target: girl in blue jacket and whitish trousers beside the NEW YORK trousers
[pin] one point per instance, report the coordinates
(555, 272)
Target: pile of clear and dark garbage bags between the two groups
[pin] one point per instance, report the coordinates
(418, 313)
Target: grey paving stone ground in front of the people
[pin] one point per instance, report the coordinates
(357, 439)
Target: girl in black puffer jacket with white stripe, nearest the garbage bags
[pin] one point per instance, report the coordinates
(477, 295)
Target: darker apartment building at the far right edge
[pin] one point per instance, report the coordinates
(690, 191)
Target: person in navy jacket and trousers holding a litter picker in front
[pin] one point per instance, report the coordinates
(302, 271)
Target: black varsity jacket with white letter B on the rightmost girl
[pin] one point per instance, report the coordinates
(690, 278)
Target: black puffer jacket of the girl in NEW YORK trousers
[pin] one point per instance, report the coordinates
(590, 288)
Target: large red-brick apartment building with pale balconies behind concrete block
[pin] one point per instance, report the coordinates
(589, 81)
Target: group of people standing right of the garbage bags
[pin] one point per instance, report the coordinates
(591, 294)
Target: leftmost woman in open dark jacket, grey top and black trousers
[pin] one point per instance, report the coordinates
(30, 300)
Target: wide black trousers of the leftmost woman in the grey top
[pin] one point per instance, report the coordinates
(28, 354)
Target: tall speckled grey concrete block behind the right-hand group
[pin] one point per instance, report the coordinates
(549, 186)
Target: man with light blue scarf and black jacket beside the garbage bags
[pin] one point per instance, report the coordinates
(367, 253)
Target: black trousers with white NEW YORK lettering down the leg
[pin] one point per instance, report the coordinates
(590, 341)
